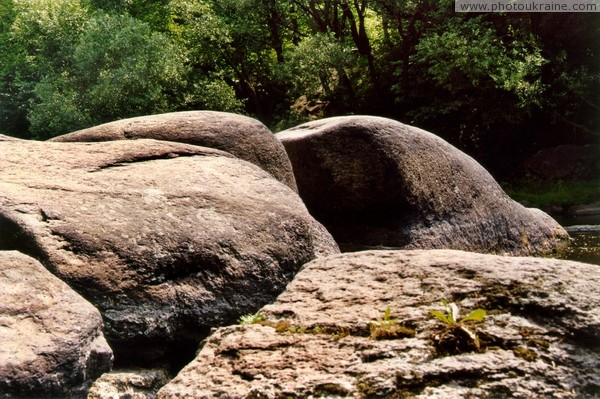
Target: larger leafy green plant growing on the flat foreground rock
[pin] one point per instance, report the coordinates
(458, 335)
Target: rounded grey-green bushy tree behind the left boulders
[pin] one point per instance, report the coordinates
(120, 68)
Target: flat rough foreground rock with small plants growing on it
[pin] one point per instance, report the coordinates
(539, 339)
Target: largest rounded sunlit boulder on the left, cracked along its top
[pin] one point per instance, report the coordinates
(166, 239)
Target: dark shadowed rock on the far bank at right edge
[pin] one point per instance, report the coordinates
(565, 162)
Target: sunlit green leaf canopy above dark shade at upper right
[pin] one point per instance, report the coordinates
(470, 54)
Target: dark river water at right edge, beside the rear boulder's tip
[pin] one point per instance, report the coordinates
(585, 232)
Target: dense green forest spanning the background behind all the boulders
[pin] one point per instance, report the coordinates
(498, 86)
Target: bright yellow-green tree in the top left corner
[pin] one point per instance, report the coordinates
(38, 41)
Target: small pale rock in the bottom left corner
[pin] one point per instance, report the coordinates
(51, 341)
